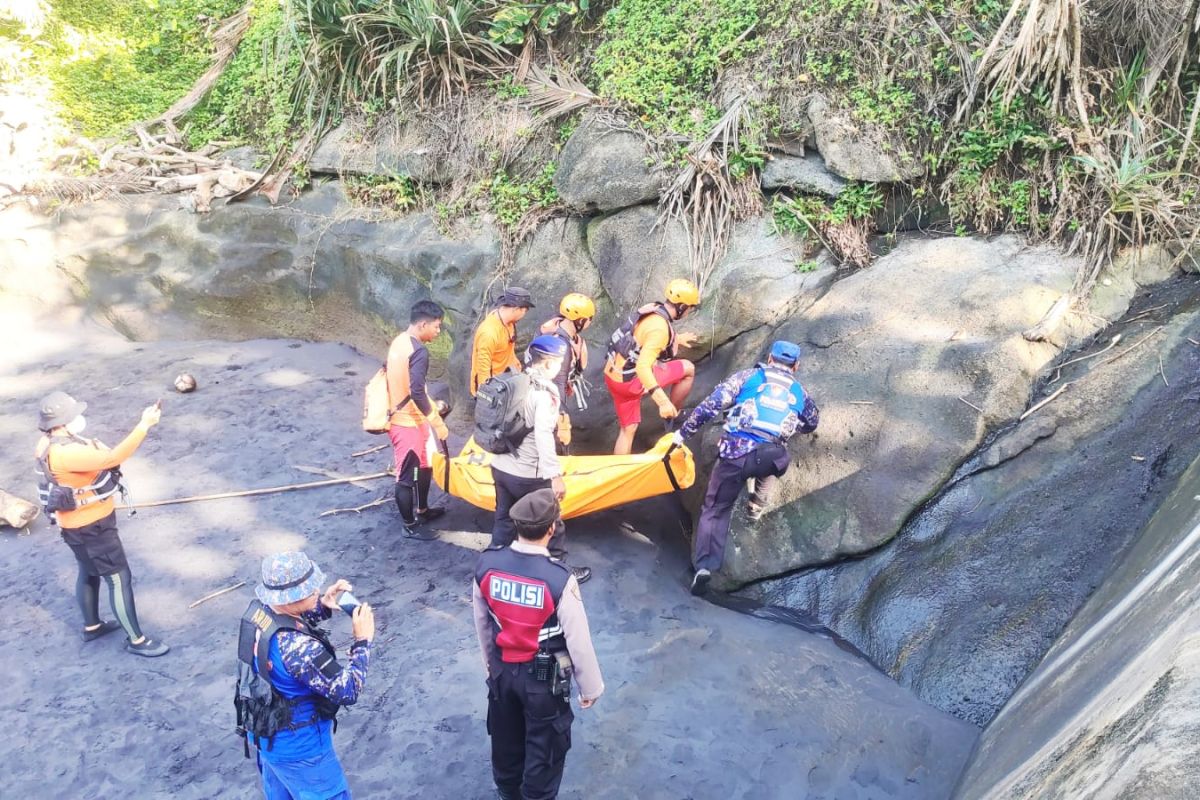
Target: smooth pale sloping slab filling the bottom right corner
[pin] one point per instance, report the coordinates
(1112, 712)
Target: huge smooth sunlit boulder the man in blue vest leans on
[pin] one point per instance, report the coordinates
(891, 352)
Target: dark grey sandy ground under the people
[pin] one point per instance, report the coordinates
(701, 702)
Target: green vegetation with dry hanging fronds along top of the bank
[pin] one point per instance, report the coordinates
(1078, 128)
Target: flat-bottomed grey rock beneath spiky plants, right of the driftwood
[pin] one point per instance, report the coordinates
(392, 148)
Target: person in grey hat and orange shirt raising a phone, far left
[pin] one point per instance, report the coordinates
(79, 480)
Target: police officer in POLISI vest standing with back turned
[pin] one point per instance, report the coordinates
(536, 641)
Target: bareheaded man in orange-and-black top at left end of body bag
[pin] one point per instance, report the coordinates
(416, 419)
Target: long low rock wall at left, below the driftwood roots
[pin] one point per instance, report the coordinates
(309, 269)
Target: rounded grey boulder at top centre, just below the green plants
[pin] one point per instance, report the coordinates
(602, 170)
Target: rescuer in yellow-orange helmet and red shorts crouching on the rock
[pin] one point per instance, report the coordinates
(643, 362)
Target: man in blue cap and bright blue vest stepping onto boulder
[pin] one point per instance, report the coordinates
(764, 408)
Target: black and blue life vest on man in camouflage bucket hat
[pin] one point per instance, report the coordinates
(263, 711)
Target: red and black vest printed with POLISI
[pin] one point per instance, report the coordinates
(523, 592)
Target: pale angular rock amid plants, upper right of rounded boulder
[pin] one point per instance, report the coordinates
(860, 152)
